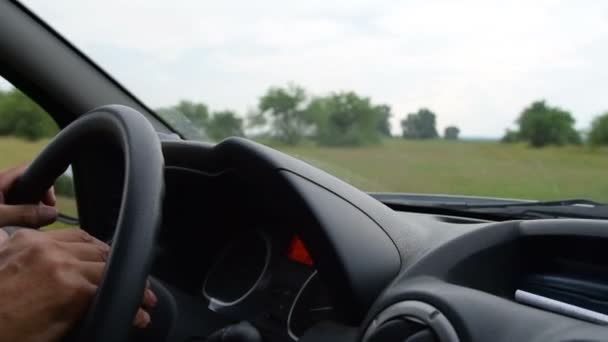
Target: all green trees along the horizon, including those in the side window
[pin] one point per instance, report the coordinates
(290, 115)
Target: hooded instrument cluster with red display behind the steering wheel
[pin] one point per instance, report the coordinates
(230, 250)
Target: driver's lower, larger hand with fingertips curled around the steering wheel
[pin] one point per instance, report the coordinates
(47, 282)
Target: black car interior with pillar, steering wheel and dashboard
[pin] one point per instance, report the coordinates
(245, 243)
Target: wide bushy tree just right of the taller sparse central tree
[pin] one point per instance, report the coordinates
(346, 119)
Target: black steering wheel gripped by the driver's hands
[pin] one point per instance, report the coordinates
(120, 292)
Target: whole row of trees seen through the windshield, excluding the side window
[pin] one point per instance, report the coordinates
(289, 115)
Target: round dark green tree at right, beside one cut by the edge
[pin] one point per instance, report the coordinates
(542, 125)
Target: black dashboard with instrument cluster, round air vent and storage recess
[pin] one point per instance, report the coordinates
(253, 235)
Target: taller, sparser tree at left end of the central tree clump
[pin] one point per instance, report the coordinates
(283, 108)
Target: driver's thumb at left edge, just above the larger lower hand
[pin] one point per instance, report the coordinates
(32, 216)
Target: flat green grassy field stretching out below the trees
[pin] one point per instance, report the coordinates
(466, 168)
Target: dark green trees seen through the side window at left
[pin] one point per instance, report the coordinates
(21, 117)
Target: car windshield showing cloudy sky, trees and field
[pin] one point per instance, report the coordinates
(481, 98)
